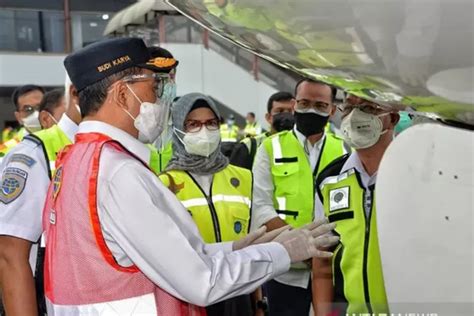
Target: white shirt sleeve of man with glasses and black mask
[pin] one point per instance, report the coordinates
(263, 209)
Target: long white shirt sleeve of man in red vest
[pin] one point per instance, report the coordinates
(151, 228)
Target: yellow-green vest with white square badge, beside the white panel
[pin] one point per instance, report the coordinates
(357, 268)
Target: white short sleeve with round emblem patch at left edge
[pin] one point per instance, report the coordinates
(25, 182)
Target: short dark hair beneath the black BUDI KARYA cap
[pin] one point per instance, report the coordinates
(92, 97)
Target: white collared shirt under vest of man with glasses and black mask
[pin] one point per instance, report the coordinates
(263, 208)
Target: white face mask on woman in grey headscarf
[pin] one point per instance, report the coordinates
(202, 143)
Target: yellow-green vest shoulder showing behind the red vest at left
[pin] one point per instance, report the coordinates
(52, 140)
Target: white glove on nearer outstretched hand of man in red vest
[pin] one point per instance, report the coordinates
(304, 243)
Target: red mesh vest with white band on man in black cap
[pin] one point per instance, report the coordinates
(88, 278)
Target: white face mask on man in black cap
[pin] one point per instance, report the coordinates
(151, 120)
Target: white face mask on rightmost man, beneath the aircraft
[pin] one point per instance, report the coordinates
(362, 130)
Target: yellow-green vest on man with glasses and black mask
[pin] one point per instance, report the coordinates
(293, 196)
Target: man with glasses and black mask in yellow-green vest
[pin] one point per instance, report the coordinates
(284, 171)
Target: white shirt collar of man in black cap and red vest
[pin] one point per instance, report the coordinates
(128, 141)
